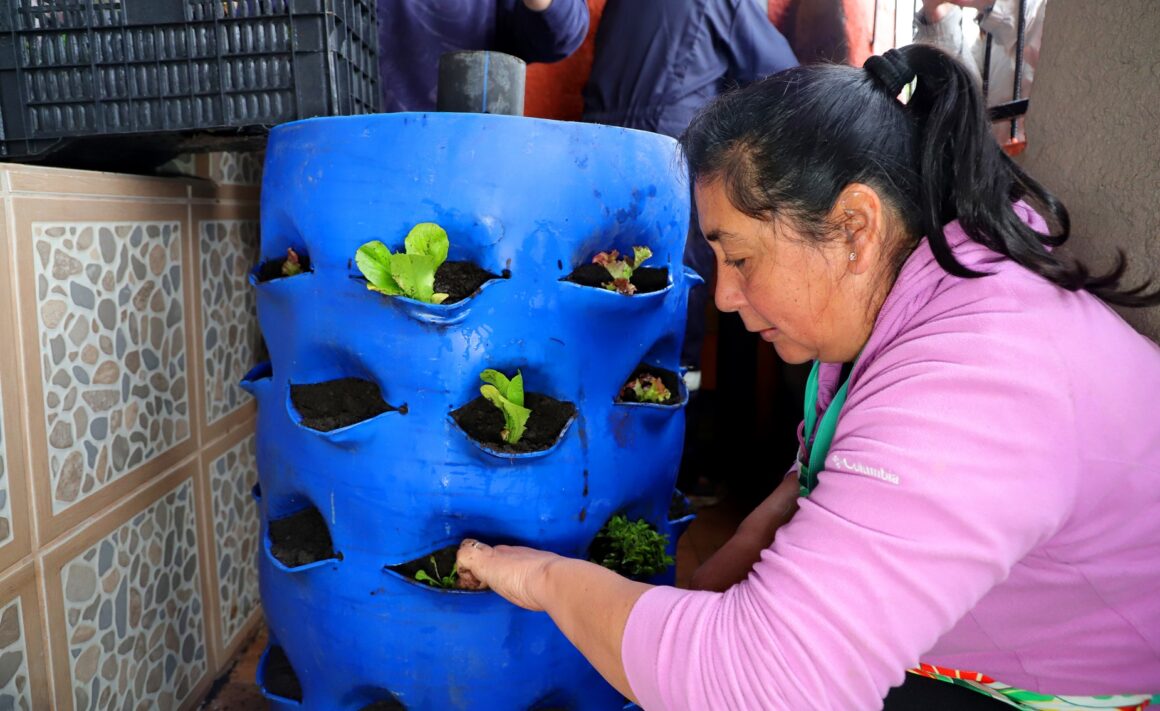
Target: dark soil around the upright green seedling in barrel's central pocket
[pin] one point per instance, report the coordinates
(483, 423)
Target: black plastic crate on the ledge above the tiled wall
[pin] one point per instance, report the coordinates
(175, 75)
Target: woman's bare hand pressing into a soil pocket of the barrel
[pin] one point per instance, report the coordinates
(517, 574)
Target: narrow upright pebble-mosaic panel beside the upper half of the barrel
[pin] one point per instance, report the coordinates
(228, 249)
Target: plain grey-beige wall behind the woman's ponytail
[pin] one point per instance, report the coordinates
(1094, 132)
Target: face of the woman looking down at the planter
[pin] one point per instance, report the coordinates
(787, 289)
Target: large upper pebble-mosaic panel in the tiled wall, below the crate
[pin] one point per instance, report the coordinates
(112, 337)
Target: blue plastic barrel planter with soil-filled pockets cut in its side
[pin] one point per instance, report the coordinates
(352, 510)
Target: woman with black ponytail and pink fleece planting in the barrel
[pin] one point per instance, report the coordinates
(989, 500)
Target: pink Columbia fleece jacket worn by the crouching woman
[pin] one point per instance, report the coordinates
(991, 503)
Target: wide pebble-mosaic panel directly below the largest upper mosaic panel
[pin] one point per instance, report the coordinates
(134, 612)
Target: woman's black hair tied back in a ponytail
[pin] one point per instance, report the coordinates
(787, 147)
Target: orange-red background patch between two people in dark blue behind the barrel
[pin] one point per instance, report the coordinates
(553, 91)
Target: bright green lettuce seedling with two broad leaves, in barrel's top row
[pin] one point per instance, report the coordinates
(410, 273)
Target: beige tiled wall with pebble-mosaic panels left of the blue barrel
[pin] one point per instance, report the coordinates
(127, 453)
